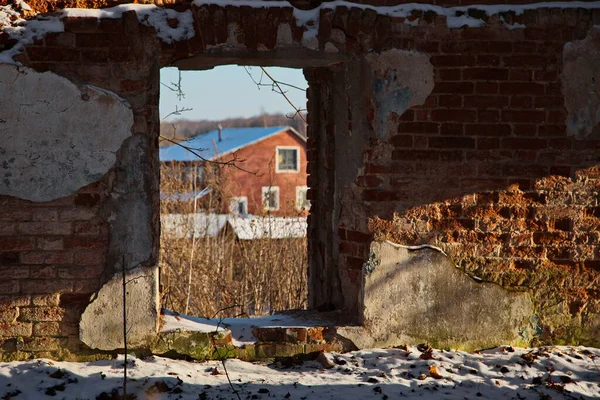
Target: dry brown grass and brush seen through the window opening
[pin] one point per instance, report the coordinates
(202, 274)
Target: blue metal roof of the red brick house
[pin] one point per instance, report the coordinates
(204, 144)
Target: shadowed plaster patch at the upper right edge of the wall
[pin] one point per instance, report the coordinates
(581, 84)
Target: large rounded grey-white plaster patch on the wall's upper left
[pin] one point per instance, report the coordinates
(57, 137)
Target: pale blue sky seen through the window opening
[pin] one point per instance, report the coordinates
(228, 91)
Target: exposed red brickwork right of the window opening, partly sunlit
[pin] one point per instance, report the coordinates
(490, 170)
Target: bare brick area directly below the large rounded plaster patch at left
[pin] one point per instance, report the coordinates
(52, 258)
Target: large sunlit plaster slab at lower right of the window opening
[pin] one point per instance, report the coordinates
(417, 295)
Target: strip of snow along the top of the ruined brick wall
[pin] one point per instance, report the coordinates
(25, 32)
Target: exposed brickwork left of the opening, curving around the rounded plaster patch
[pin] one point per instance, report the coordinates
(54, 256)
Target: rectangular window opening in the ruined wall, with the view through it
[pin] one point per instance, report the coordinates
(233, 195)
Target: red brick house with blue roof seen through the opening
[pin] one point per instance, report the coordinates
(268, 175)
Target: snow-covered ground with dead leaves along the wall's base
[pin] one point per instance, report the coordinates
(414, 372)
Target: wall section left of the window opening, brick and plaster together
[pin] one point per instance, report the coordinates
(60, 247)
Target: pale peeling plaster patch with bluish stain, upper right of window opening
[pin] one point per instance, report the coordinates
(403, 79)
